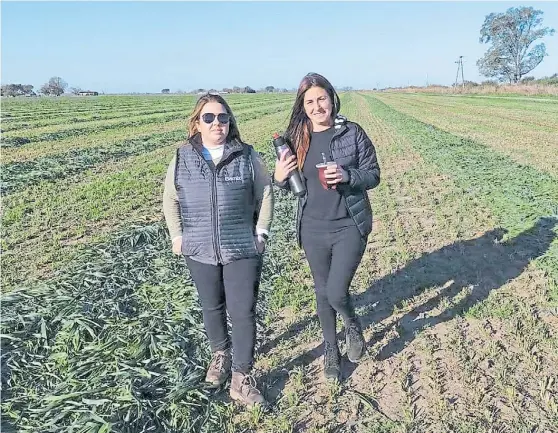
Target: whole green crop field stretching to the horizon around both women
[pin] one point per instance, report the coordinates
(457, 291)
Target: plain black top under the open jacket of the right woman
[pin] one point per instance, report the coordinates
(325, 209)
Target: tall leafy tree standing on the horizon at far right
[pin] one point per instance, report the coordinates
(512, 34)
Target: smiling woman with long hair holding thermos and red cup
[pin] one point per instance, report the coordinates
(334, 217)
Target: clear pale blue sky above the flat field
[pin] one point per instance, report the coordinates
(146, 46)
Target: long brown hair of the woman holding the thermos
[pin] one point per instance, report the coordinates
(300, 126)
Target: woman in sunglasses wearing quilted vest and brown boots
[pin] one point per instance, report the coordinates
(218, 206)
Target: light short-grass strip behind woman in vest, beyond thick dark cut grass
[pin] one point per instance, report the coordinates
(45, 224)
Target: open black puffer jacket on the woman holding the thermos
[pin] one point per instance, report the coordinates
(351, 148)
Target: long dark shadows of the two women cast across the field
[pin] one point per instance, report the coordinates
(482, 264)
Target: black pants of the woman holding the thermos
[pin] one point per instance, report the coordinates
(333, 258)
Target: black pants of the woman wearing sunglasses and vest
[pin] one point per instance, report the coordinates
(233, 288)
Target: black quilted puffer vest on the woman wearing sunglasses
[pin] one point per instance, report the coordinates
(217, 204)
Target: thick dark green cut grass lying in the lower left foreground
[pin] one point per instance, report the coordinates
(94, 376)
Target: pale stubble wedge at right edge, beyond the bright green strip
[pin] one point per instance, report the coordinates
(523, 130)
